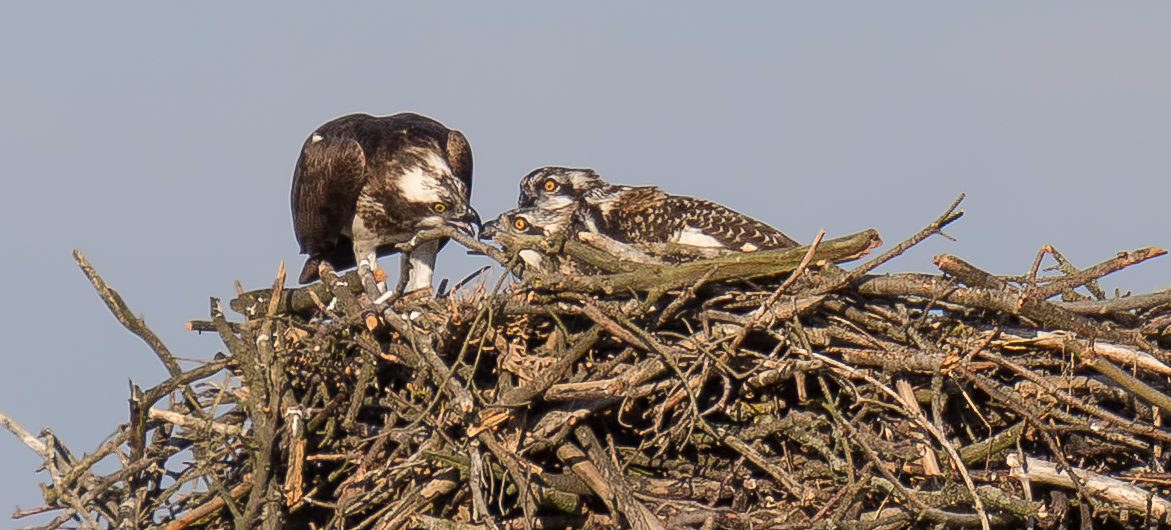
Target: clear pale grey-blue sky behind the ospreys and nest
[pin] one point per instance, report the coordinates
(161, 139)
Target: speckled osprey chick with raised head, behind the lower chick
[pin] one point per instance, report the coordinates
(647, 215)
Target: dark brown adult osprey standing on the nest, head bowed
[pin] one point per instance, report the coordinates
(365, 184)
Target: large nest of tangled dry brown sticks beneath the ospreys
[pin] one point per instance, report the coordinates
(750, 391)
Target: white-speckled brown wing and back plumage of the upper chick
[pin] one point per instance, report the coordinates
(647, 215)
